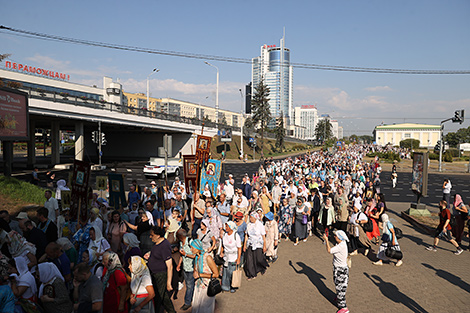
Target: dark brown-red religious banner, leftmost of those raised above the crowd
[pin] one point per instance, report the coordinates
(79, 197)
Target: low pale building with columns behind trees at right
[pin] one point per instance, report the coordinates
(428, 135)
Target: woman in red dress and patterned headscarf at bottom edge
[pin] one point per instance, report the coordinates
(114, 284)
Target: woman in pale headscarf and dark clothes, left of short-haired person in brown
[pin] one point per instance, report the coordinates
(53, 291)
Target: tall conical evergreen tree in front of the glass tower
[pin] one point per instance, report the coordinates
(261, 112)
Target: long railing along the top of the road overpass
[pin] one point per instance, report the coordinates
(42, 94)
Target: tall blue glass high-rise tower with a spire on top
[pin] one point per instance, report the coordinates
(273, 65)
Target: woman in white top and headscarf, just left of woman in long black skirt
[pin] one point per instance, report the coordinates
(231, 251)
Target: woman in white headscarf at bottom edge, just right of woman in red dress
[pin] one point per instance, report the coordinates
(141, 286)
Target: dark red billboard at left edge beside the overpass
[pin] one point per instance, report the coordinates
(14, 118)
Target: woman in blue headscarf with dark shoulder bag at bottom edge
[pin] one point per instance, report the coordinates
(204, 269)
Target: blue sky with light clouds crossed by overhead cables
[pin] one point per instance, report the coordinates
(387, 34)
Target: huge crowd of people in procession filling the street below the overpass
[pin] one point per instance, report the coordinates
(138, 258)
